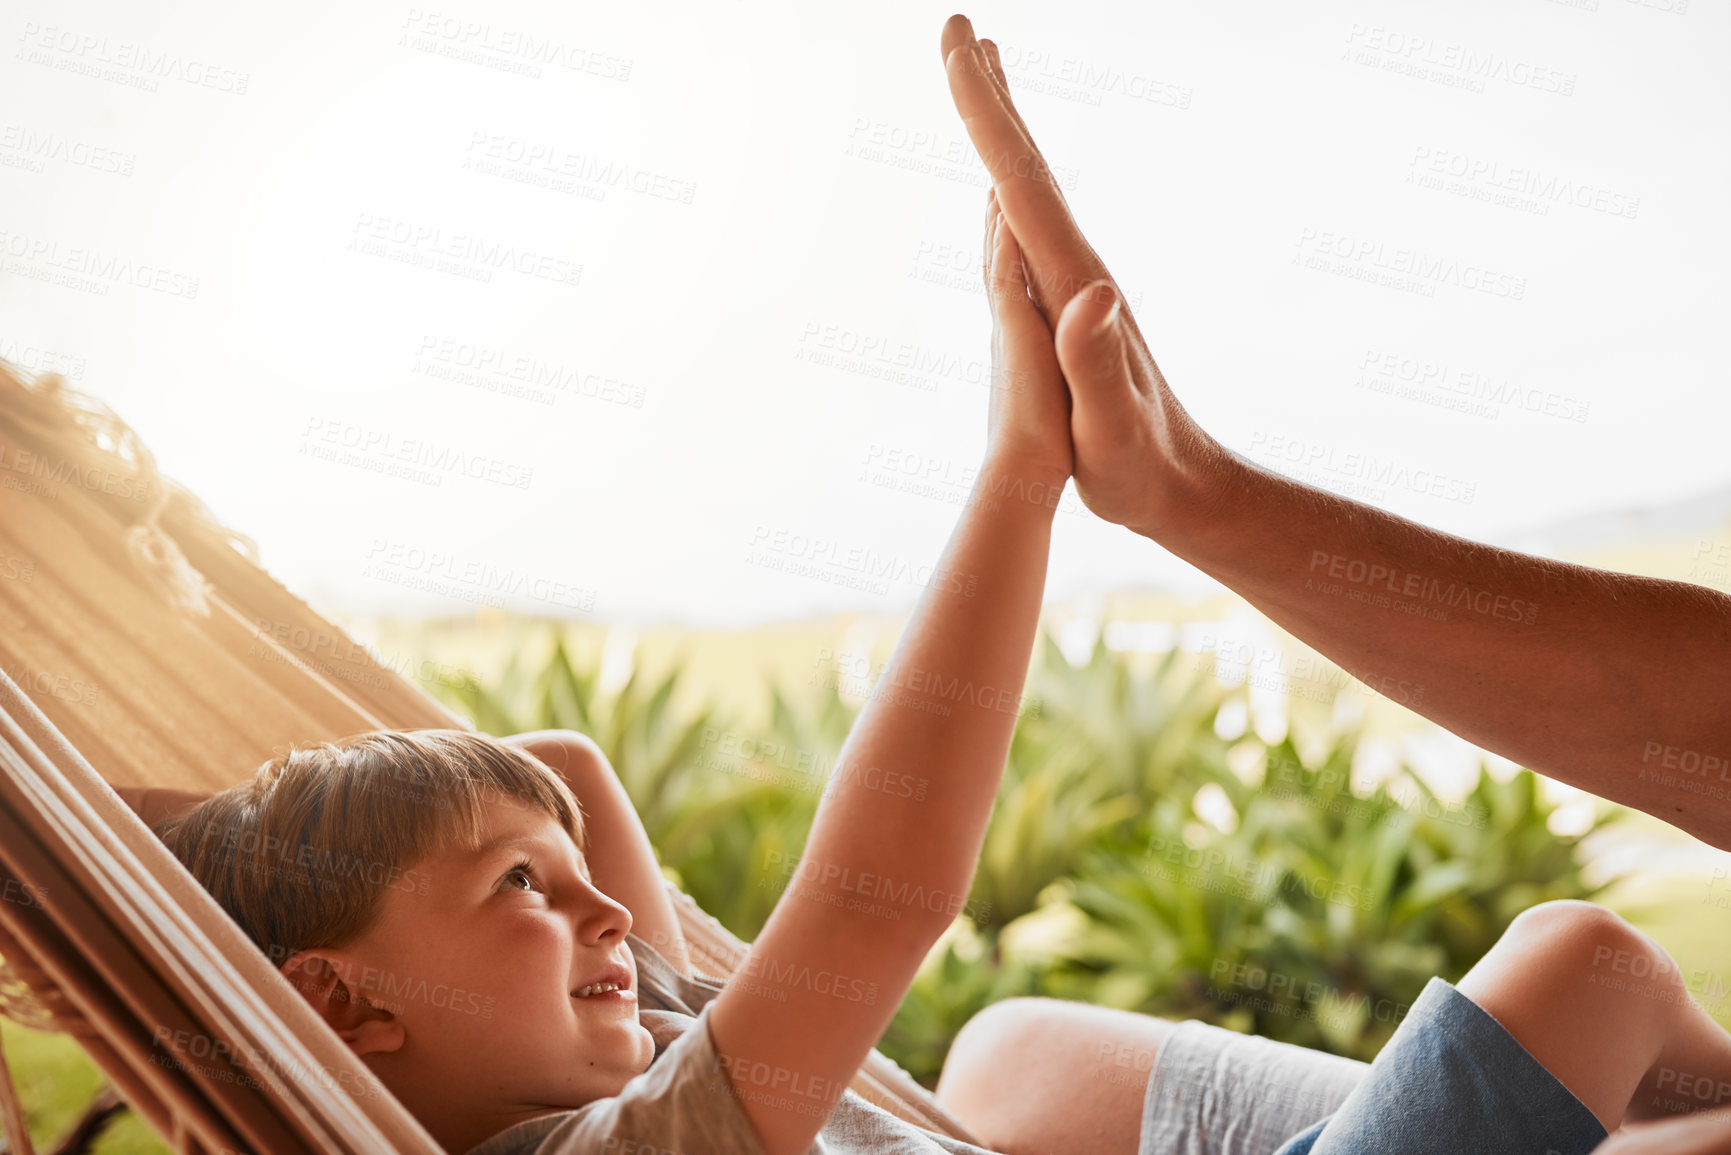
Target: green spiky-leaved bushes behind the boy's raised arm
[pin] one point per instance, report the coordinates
(1313, 915)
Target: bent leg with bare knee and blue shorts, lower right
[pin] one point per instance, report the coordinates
(1562, 1031)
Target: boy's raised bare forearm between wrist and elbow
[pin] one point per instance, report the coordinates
(908, 804)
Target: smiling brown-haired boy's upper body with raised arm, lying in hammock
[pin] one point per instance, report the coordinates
(447, 865)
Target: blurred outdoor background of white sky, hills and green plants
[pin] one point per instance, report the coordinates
(615, 368)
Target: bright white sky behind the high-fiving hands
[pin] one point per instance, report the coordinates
(804, 184)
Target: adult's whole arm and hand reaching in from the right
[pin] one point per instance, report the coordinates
(1607, 681)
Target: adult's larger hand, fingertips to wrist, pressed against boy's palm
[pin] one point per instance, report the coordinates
(1140, 460)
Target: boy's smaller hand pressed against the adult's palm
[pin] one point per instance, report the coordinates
(1029, 416)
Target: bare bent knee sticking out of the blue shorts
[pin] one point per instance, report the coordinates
(1607, 1012)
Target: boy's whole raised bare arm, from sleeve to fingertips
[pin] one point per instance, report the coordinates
(894, 846)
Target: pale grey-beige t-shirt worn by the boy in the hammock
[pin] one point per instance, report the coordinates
(685, 1102)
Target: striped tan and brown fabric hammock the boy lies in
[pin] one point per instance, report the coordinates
(143, 645)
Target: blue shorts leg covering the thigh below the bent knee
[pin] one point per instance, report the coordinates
(1453, 1080)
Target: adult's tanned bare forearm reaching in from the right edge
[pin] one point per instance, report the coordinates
(1609, 681)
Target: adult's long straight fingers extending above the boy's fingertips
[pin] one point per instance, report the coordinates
(1059, 254)
